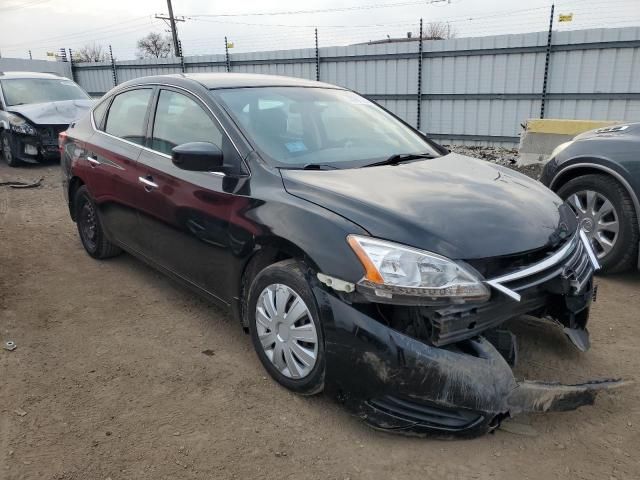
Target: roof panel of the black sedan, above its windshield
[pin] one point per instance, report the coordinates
(213, 81)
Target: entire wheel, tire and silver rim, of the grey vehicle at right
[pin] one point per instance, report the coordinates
(606, 213)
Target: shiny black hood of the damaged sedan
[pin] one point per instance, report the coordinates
(453, 205)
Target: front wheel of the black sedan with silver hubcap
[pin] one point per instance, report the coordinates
(287, 279)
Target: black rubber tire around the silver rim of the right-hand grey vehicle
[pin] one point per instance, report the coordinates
(623, 255)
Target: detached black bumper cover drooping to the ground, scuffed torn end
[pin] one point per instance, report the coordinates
(398, 383)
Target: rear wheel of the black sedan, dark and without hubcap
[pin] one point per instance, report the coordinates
(90, 227)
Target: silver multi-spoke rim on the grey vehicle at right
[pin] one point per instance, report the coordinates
(598, 219)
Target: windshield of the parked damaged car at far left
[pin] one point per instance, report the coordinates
(19, 91)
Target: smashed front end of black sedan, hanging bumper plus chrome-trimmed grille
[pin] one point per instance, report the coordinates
(447, 369)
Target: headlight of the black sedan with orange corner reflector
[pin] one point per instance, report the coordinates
(393, 270)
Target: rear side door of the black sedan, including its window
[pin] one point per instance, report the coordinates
(112, 154)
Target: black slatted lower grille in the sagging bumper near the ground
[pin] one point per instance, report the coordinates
(439, 418)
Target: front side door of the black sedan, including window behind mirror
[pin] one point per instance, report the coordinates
(184, 215)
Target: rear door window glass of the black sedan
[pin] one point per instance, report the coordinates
(127, 113)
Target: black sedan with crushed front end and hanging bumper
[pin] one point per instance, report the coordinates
(363, 258)
